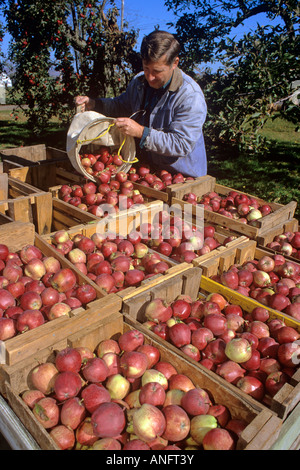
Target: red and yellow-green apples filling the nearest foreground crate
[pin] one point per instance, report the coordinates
(123, 396)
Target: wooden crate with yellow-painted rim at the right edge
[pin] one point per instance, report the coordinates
(289, 395)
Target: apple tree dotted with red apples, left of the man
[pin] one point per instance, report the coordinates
(61, 49)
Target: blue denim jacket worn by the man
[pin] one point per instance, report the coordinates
(175, 140)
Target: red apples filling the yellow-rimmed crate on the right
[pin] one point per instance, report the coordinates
(250, 350)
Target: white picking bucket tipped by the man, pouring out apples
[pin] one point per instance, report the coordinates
(96, 130)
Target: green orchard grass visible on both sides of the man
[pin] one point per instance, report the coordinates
(274, 176)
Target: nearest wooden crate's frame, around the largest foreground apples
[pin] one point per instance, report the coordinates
(262, 429)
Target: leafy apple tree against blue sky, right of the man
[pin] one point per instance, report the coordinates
(246, 79)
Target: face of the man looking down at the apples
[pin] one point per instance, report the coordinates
(158, 73)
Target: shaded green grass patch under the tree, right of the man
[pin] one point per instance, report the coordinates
(274, 176)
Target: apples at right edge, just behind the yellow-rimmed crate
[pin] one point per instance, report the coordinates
(272, 280)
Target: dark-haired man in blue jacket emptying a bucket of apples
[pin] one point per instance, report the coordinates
(167, 106)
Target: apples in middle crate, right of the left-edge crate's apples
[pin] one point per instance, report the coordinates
(113, 263)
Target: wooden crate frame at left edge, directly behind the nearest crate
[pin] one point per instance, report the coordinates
(26, 344)
